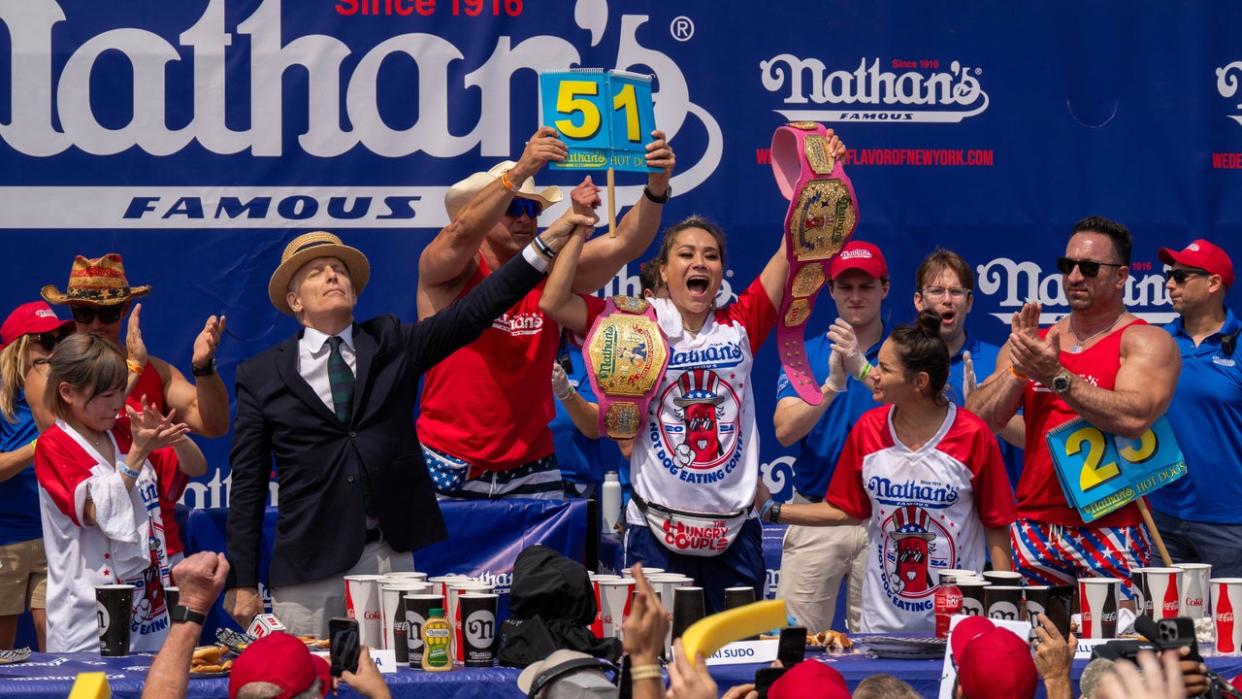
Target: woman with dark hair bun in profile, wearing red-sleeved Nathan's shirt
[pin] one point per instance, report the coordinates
(923, 475)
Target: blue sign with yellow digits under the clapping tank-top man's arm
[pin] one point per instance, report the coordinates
(1102, 472)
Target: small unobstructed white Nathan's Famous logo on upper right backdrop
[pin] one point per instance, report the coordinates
(912, 91)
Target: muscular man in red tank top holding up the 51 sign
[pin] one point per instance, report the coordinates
(486, 412)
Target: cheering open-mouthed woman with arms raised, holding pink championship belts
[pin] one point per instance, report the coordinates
(696, 456)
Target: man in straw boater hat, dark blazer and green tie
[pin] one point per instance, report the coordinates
(331, 405)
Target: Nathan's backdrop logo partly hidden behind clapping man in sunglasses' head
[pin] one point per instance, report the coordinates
(1015, 284)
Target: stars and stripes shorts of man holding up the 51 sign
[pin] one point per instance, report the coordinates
(540, 480)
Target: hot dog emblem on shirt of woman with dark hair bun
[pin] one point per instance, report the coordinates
(913, 544)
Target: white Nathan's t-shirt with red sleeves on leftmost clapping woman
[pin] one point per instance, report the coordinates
(125, 547)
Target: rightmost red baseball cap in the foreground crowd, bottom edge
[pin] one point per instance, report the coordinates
(993, 662)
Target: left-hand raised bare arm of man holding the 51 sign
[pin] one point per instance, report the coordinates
(450, 255)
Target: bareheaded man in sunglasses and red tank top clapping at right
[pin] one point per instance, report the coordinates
(1099, 363)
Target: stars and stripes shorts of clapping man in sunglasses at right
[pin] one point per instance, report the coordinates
(1055, 554)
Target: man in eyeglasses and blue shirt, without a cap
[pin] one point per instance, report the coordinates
(945, 284)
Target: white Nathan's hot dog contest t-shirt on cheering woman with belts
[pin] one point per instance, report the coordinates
(699, 449)
